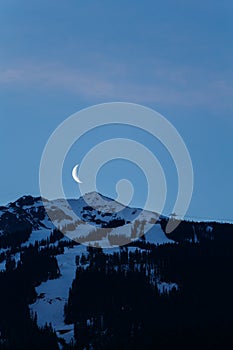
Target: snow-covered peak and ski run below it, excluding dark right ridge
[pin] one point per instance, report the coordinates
(28, 221)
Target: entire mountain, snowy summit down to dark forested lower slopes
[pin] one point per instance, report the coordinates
(70, 293)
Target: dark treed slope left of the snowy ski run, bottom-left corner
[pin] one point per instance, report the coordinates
(19, 329)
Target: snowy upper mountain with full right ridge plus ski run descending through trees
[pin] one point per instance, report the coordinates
(31, 224)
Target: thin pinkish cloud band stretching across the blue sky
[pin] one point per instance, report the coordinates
(170, 86)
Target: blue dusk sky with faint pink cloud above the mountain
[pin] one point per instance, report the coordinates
(176, 57)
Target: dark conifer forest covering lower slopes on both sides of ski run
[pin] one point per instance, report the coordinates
(142, 296)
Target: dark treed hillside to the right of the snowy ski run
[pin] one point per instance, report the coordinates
(114, 303)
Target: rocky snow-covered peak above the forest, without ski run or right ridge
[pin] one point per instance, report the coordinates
(80, 219)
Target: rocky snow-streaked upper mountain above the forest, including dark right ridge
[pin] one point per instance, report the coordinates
(29, 219)
